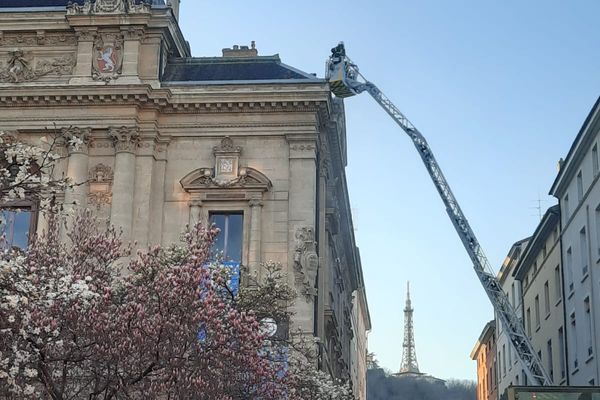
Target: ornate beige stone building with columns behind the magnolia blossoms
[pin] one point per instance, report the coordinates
(241, 140)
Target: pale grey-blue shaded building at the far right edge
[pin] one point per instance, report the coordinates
(578, 192)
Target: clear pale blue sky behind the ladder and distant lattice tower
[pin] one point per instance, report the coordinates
(499, 89)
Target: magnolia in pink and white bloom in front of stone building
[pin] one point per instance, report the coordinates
(82, 318)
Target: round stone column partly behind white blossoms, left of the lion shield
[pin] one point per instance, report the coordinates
(77, 168)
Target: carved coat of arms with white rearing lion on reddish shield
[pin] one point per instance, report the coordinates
(108, 57)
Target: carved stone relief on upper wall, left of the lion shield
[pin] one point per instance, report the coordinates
(20, 67)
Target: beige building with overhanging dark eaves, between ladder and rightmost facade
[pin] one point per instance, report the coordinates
(540, 272)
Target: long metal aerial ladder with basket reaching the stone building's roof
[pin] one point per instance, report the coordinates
(345, 80)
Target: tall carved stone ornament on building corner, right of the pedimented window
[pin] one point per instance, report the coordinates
(306, 261)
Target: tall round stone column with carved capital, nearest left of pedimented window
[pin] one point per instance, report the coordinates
(125, 140)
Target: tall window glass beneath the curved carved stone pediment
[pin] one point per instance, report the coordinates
(228, 242)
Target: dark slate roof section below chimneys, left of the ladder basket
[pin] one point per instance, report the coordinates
(231, 69)
